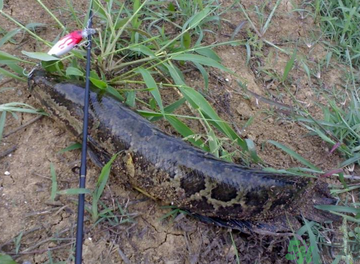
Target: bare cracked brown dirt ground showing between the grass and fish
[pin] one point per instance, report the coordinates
(25, 183)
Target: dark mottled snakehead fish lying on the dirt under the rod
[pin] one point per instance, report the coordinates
(169, 169)
